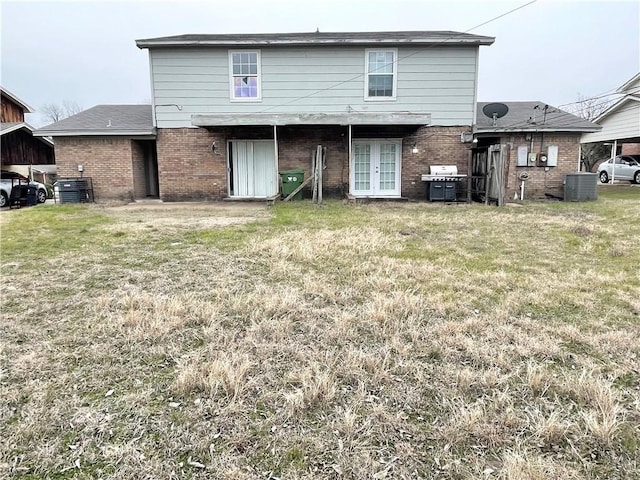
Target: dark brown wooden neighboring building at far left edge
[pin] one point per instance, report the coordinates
(20, 151)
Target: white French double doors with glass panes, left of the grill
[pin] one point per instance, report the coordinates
(375, 168)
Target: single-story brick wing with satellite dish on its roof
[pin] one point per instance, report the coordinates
(543, 143)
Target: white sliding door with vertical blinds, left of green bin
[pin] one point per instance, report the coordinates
(253, 168)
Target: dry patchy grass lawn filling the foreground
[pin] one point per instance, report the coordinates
(360, 342)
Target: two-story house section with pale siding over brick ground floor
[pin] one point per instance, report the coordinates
(233, 110)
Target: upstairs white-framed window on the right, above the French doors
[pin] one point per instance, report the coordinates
(381, 74)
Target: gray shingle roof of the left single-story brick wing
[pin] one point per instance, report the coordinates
(104, 120)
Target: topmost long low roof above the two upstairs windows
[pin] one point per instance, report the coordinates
(318, 38)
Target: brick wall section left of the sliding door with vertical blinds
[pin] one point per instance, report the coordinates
(187, 167)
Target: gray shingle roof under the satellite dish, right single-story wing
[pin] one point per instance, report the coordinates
(530, 117)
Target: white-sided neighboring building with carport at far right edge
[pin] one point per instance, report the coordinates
(620, 122)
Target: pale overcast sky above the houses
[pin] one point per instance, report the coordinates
(85, 51)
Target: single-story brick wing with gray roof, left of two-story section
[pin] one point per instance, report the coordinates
(114, 145)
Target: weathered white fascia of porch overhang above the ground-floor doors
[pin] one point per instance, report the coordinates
(230, 119)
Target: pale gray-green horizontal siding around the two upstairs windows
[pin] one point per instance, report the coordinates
(437, 80)
